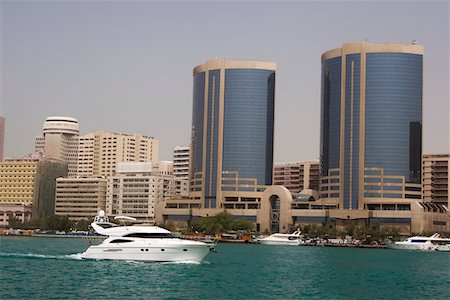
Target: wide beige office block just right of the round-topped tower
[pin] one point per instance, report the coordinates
(99, 152)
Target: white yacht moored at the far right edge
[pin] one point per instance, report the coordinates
(432, 243)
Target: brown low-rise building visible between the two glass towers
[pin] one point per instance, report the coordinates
(297, 176)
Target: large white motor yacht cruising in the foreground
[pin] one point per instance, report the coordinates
(142, 243)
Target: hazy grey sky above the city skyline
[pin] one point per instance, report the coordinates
(126, 66)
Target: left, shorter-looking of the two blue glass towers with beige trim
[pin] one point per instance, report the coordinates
(232, 128)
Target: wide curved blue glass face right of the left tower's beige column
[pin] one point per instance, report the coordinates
(249, 123)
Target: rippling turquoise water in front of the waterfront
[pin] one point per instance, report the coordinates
(50, 268)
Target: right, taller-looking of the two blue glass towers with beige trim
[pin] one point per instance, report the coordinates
(371, 125)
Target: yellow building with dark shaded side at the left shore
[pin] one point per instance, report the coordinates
(30, 182)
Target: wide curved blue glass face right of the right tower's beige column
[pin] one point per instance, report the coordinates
(394, 114)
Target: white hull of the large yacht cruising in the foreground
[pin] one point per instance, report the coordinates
(155, 251)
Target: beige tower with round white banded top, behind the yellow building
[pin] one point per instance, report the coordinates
(59, 141)
